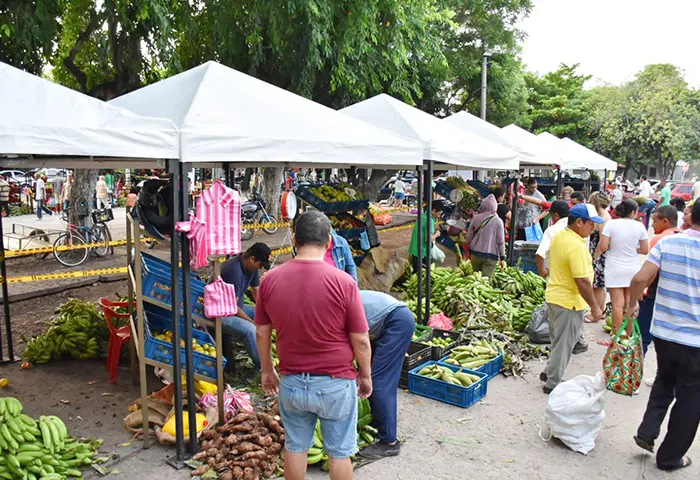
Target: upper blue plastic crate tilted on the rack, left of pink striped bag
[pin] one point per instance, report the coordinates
(157, 285)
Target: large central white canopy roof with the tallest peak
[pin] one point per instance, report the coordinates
(227, 116)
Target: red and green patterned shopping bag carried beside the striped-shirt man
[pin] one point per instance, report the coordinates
(623, 364)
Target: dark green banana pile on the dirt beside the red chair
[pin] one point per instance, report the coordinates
(77, 330)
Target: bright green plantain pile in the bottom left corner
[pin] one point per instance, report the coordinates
(39, 450)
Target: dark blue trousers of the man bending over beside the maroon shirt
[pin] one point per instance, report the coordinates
(389, 351)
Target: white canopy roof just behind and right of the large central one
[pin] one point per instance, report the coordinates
(442, 142)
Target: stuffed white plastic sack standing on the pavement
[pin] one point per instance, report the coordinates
(575, 411)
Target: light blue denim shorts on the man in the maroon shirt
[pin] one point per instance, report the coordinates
(305, 399)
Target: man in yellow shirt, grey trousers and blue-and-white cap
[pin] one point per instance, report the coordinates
(569, 291)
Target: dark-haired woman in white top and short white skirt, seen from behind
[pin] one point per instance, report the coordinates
(624, 239)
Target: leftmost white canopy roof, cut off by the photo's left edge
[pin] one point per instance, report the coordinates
(39, 117)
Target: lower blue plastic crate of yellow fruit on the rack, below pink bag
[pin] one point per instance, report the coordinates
(158, 320)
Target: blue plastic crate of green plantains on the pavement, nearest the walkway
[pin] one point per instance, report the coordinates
(446, 392)
